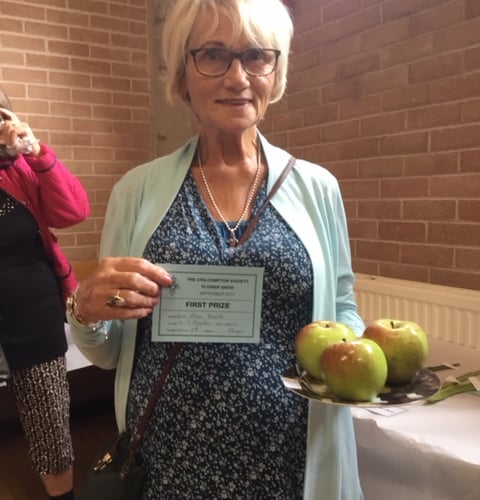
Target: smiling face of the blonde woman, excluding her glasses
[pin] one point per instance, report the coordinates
(234, 102)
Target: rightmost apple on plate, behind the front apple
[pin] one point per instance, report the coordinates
(405, 346)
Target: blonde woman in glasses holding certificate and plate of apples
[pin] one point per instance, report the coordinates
(225, 427)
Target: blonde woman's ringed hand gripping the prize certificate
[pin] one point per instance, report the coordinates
(135, 282)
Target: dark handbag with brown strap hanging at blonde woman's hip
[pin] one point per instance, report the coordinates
(117, 474)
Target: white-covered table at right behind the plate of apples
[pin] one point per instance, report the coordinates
(426, 452)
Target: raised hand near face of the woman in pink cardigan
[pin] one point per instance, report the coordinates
(17, 136)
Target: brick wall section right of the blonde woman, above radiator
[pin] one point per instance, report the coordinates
(386, 95)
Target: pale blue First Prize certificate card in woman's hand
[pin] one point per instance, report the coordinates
(209, 304)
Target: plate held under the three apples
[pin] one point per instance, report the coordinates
(425, 384)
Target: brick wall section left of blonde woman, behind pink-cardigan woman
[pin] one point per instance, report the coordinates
(78, 72)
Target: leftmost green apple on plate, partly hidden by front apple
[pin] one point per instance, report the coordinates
(312, 339)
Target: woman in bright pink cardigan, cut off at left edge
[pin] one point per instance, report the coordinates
(37, 192)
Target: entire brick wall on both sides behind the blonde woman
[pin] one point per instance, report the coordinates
(384, 93)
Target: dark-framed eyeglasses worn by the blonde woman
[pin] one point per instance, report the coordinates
(215, 61)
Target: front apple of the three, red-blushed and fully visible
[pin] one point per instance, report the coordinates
(355, 370)
